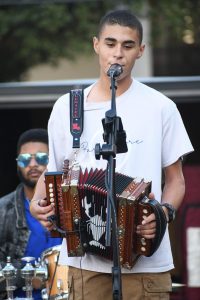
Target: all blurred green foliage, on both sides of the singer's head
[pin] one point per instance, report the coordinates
(34, 34)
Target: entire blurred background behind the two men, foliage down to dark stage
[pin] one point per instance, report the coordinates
(46, 49)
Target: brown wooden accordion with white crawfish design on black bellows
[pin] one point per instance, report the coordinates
(80, 201)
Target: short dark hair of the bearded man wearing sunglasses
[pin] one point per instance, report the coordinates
(32, 135)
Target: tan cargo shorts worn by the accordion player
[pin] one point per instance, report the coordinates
(88, 285)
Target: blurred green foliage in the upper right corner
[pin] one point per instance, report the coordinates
(175, 22)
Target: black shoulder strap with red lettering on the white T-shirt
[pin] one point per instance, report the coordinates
(76, 115)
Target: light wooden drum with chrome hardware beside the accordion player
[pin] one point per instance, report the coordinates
(57, 282)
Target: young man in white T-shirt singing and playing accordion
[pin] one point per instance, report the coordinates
(156, 140)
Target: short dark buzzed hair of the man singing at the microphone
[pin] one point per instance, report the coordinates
(122, 18)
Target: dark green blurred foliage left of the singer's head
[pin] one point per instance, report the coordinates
(35, 34)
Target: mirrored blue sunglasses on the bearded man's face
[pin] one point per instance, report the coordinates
(23, 160)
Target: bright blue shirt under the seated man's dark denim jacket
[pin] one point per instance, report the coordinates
(39, 241)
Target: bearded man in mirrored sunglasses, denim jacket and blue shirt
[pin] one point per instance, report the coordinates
(21, 235)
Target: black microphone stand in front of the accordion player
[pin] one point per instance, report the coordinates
(115, 139)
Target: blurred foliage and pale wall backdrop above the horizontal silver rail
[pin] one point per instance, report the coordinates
(50, 40)
